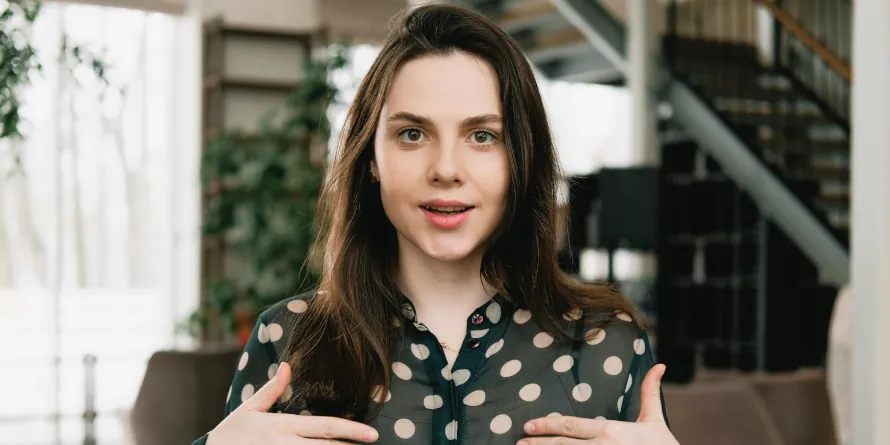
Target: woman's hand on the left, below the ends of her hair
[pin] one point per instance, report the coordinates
(252, 424)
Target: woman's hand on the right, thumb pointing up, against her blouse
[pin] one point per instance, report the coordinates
(649, 429)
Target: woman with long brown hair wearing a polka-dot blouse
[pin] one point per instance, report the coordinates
(442, 316)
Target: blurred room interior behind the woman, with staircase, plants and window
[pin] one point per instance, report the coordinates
(160, 162)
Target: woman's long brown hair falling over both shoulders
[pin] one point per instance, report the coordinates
(342, 347)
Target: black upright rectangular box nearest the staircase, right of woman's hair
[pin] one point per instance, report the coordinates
(628, 216)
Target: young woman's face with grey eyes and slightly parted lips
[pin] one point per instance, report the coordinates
(440, 157)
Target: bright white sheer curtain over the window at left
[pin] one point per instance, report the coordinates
(87, 225)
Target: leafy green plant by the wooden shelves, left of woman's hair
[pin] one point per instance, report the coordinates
(260, 194)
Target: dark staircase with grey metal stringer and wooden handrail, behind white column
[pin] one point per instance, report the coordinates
(755, 164)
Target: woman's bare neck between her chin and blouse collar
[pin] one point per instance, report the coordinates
(439, 289)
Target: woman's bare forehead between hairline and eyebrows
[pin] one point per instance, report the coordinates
(441, 87)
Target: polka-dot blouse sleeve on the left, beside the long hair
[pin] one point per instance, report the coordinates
(257, 365)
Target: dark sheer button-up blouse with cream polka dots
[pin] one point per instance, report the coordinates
(507, 372)
